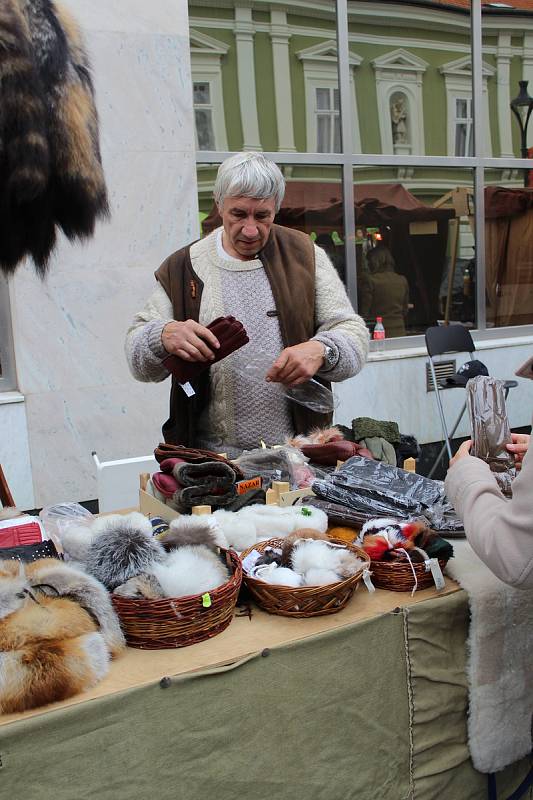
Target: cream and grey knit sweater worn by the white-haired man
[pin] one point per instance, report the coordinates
(244, 408)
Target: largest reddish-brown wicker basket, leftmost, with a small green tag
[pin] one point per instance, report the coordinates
(181, 621)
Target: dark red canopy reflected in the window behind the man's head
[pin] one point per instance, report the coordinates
(312, 206)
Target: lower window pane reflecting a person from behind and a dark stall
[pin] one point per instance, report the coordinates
(414, 252)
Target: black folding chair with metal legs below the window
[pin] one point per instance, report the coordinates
(443, 339)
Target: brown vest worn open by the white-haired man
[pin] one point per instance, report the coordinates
(289, 261)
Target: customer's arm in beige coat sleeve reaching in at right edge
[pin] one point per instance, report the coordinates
(500, 530)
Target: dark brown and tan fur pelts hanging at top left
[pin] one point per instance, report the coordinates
(50, 166)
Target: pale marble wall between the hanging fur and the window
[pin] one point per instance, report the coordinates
(69, 331)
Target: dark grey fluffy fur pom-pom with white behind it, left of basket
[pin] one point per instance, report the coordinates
(122, 547)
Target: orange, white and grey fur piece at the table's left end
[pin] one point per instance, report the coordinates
(50, 647)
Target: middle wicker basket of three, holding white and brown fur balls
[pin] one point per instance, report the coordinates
(307, 601)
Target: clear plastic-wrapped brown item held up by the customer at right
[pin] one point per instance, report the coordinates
(490, 427)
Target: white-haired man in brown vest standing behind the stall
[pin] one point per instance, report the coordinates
(286, 293)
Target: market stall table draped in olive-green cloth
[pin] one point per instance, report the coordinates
(367, 703)
